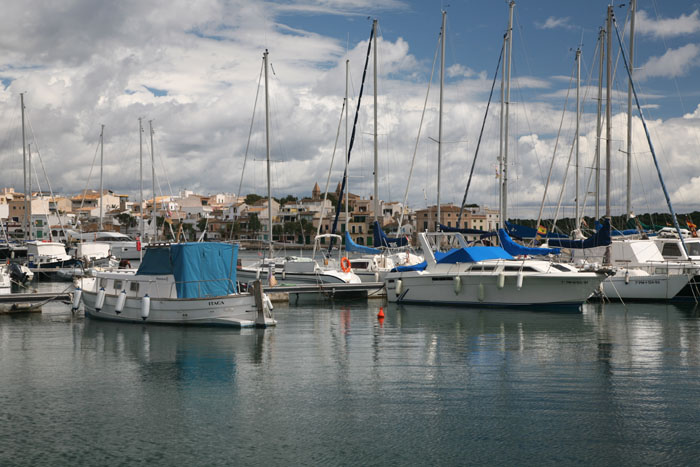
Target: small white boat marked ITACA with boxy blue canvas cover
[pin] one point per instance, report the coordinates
(188, 283)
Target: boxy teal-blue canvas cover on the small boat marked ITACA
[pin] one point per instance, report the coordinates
(200, 269)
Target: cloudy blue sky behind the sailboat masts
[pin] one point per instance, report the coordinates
(192, 69)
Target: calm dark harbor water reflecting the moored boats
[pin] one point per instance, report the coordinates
(331, 385)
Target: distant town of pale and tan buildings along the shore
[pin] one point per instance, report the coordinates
(223, 216)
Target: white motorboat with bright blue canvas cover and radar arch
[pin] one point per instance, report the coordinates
(487, 276)
